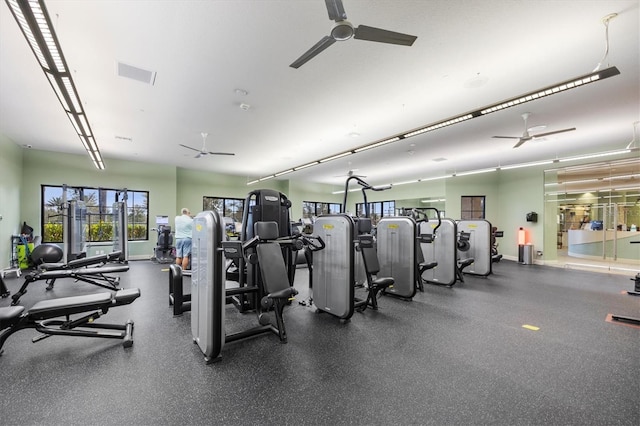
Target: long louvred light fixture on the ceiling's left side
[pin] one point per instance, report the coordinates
(35, 23)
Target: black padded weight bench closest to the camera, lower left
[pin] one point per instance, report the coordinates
(45, 317)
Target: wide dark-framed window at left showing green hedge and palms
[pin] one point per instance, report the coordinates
(98, 220)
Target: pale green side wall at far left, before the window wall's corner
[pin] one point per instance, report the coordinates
(10, 194)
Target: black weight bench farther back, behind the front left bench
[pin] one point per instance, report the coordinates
(78, 270)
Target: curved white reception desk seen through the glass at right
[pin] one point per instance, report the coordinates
(588, 244)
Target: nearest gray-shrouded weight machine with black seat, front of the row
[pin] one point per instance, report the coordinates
(208, 293)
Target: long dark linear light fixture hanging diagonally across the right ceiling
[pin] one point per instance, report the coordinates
(499, 106)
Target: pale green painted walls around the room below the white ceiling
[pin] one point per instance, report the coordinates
(511, 194)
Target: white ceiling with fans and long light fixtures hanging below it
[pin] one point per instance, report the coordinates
(467, 55)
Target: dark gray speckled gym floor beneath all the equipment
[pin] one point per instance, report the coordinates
(451, 356)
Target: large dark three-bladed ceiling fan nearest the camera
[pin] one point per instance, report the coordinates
(344, 30)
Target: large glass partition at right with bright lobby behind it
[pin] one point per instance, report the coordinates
(592, 213)
